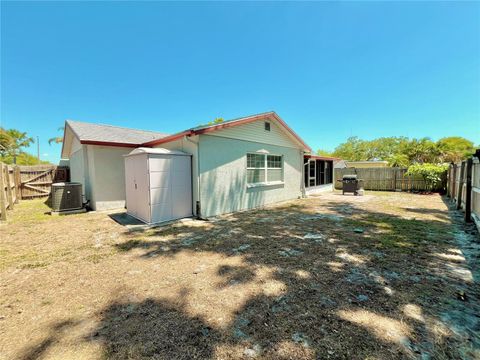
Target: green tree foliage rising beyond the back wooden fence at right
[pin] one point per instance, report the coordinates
(402, 151)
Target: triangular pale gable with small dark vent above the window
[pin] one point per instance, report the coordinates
(255, 132)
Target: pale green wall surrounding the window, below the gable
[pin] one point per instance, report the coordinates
(223, 175)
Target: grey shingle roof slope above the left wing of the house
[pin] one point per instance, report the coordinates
(112, 134)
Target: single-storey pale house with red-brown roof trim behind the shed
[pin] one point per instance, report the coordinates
(235, 165)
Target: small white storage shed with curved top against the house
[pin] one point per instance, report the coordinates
(158, 184)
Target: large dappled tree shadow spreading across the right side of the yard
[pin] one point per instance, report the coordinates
(356, 283)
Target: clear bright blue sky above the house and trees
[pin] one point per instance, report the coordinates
(330, 70)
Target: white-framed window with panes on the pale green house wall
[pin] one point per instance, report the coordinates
(264, 168)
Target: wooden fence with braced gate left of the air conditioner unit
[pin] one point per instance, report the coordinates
(27, 182)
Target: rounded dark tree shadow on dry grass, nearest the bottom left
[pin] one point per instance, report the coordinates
(153, 329)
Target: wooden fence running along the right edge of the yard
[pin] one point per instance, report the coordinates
(464, 187)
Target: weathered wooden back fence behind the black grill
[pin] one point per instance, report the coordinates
(387, 179)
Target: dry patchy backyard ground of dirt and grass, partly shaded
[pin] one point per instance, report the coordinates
(383, 276)
